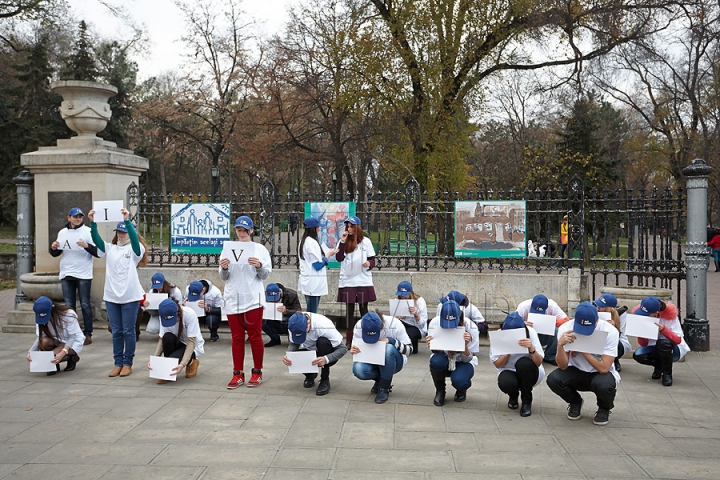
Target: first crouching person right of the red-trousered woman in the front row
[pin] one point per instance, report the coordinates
(311, 331)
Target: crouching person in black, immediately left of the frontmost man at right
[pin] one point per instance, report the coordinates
(519, 373)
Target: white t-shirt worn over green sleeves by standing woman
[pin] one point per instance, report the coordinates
(122, 284)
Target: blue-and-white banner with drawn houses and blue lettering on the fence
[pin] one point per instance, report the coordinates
(199, 227)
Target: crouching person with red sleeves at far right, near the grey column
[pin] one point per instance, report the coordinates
(670, 345)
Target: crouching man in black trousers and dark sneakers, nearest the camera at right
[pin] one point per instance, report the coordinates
(580, 371)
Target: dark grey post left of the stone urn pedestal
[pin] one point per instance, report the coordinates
(26, 227)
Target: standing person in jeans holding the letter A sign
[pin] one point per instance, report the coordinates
(76, 268)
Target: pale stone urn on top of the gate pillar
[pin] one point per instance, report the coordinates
(85, 108)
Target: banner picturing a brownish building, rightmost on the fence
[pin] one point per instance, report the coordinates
(489, 229)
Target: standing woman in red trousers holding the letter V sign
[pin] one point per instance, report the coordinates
(243, 304)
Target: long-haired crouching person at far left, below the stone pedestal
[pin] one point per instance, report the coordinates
(58, 331)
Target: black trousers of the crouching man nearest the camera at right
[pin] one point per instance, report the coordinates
(567, 383)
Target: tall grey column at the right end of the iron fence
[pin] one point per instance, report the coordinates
(697, 328)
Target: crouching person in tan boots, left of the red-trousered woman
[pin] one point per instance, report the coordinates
(180, 338)
